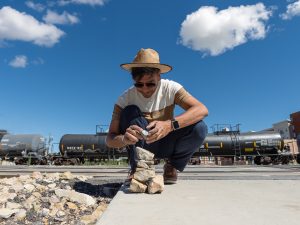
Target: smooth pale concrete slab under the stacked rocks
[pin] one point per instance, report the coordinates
(210, 202)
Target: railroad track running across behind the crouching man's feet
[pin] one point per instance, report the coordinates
(201, 172)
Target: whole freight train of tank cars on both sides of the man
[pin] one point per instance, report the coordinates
(263, 147)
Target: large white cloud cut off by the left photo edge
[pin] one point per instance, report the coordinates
(20, 26)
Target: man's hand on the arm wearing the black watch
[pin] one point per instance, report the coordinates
(158, 130)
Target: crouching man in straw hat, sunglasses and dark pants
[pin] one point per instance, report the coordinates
(144, 116)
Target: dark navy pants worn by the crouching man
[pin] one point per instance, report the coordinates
(178, 146)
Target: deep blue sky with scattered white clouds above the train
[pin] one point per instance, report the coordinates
(59, 60)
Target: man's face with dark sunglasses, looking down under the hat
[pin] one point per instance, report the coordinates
(147, 84)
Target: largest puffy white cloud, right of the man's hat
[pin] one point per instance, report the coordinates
(213, 32)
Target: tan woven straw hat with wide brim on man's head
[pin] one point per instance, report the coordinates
(147, 58)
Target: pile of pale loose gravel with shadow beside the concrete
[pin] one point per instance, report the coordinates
(54, 198)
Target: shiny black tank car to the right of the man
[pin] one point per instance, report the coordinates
(263, 147)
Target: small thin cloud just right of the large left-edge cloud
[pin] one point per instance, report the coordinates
(65, 18)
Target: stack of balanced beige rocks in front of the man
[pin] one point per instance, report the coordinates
(144, 179)
